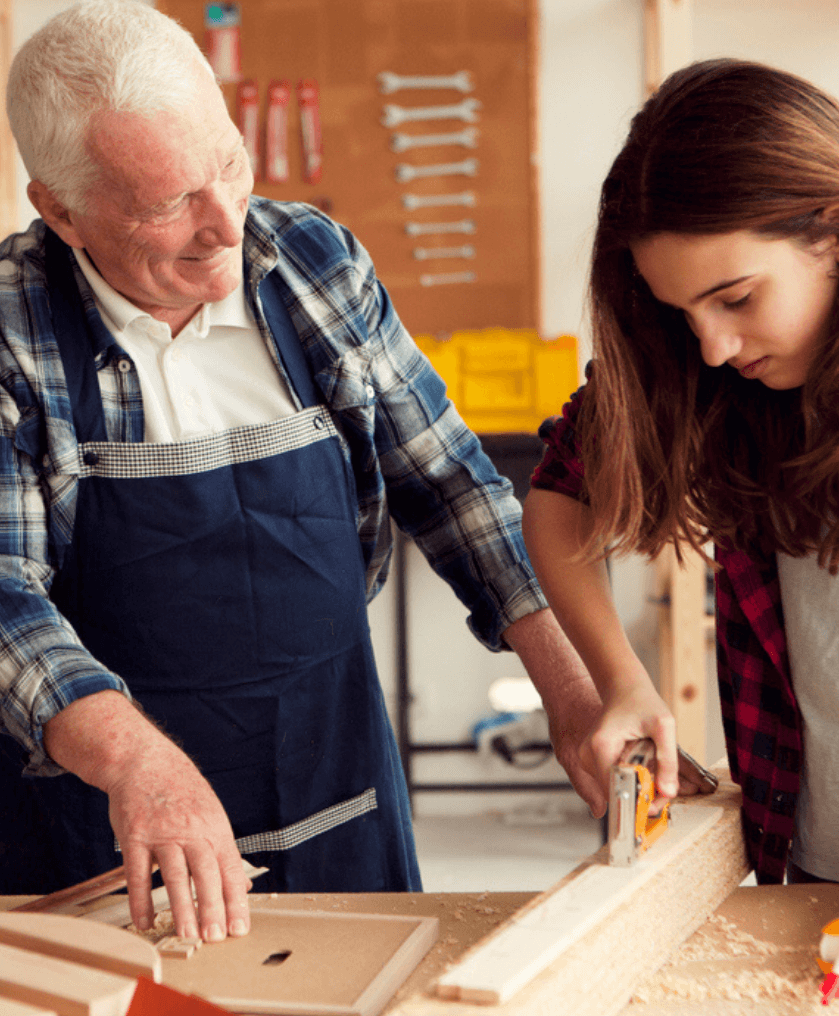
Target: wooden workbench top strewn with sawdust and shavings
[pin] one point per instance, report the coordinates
(755, 956)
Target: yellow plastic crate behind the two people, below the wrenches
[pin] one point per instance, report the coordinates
(505, 380)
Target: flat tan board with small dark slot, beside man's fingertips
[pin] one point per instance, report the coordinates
(341, 965)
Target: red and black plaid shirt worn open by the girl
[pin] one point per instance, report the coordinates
(761, 718)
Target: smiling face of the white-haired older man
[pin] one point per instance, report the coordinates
(166, 221)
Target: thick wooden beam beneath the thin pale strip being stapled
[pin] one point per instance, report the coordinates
(597, 976)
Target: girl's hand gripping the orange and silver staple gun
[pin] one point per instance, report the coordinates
(634, 712)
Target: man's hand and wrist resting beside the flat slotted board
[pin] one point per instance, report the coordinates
(162, 809)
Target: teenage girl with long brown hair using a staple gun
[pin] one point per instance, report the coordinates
(712, 413)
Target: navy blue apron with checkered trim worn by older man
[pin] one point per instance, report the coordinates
(223, 580)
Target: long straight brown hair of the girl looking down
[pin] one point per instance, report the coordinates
(676, 451)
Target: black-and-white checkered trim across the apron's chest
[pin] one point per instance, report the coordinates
(125, 461)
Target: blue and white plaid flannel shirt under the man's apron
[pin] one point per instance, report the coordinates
(413, 458)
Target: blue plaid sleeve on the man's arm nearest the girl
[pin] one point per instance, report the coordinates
(442, 489)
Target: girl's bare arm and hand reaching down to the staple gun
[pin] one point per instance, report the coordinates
(555, 528)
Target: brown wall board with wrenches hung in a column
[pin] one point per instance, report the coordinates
(345, 45)
